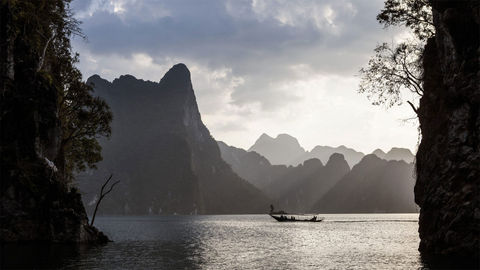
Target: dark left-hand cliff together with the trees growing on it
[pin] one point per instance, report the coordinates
(50, 123)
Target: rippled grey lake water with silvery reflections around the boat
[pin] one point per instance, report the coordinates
(353, 241)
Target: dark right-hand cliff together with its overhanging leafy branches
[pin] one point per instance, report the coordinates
(445, 73)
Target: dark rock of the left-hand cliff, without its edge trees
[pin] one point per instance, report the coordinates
(36, 202)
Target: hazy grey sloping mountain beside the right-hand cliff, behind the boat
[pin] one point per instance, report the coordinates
(374, 185)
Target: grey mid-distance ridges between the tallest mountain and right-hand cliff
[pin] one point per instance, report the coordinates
(333, 187)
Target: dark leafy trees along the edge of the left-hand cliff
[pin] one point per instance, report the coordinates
(84, 118)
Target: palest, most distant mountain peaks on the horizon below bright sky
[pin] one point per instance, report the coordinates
(286, 150)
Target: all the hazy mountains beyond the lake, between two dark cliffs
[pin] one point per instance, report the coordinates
(168, 163)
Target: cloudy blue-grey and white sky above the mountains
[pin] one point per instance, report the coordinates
(283, 66)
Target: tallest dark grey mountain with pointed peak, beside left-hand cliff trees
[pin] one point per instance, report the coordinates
(163, 154)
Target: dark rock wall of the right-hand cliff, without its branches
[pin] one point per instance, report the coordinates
(448, 158)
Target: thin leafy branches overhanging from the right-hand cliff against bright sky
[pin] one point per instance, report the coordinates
(397, 67)
